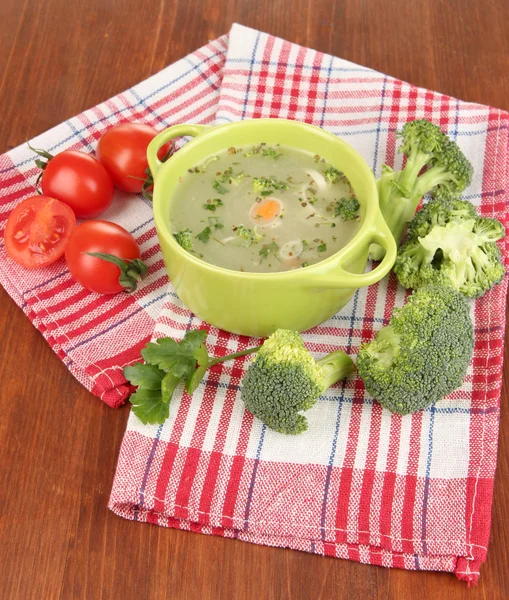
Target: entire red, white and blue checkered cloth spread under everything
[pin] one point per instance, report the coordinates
(361, 483)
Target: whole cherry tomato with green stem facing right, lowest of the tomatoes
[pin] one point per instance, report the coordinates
(92, 272)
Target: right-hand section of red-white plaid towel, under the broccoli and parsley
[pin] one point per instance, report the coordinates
(361, 483)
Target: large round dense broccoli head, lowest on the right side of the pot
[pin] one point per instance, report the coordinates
(423, 354)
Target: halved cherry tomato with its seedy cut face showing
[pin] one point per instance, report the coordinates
(37, 231)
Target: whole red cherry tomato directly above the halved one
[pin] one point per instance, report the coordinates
(80, 181)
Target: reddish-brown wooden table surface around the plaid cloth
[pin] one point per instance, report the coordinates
(58, 443)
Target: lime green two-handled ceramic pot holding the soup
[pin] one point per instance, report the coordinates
(257, 304)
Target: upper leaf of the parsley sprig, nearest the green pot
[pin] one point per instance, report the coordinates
(176, 358)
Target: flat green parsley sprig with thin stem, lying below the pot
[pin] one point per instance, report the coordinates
(167, 364)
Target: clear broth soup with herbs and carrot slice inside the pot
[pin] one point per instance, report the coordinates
(263, 209)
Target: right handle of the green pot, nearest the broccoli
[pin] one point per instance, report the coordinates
(341, 278)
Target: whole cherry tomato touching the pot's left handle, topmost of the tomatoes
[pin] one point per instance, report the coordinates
(123, 151)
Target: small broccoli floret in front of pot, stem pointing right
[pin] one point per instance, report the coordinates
(284, 379)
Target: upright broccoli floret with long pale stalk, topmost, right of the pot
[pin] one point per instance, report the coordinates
(448, 172)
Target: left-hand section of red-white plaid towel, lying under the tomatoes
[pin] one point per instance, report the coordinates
(94, 335)
